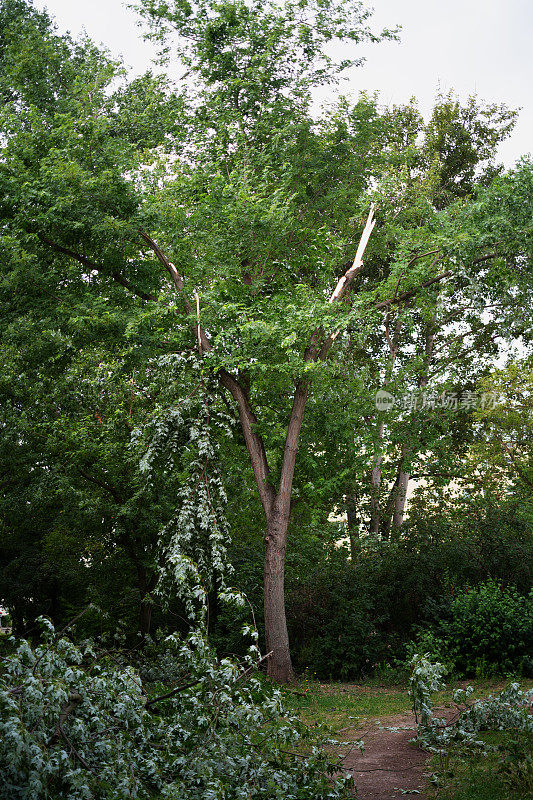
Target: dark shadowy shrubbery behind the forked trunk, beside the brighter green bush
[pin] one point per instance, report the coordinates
(348, 618)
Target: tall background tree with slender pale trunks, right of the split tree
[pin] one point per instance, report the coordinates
(429, 347)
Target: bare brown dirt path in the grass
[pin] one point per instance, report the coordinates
(389, 763)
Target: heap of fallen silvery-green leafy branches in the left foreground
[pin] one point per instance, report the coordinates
(75, 726)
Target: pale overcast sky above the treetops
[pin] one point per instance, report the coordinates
(481, 47)
